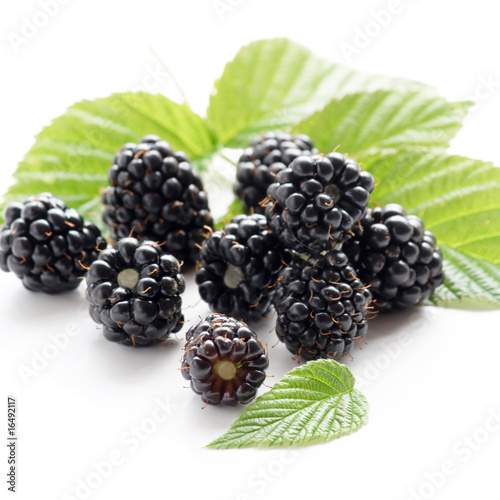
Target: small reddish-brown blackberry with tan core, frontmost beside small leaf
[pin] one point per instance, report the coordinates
(224, 361)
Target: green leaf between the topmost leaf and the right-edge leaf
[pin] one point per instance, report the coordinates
(385, 119)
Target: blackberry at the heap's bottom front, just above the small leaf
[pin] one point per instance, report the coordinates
(322, 306)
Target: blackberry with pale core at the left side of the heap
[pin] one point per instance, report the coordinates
(238, 266)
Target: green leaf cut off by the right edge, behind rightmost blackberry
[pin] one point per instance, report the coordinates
(457, 198)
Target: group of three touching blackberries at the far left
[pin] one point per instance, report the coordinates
(134, 289)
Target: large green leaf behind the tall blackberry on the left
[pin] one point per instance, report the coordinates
(71, 156)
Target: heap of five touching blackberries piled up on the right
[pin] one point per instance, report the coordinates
(325, 261)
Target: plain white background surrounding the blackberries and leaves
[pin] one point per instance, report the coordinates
(431, 375)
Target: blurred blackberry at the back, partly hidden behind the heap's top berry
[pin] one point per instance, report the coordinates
(259, 164)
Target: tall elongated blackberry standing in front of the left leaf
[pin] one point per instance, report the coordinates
(157, 195)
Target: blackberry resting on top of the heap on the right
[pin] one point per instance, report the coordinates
(317, 200)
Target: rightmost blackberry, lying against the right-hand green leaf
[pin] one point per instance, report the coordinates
(394, 254)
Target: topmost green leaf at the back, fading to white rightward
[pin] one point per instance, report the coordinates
(275, 83)
